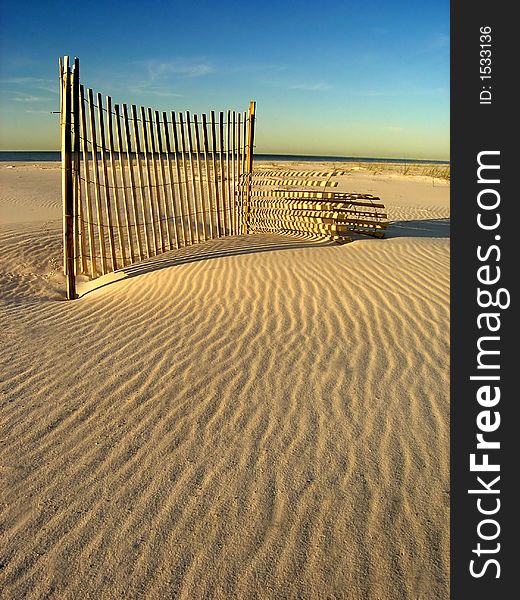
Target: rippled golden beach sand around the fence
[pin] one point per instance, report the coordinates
(259, 417)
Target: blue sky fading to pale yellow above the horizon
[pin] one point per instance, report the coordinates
(349, 78)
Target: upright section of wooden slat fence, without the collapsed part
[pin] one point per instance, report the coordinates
(145, 182)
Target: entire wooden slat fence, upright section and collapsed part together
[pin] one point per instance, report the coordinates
(137, 183)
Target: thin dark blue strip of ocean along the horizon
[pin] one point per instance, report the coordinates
(52, 155)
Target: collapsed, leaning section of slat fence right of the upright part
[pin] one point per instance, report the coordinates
(304, 202)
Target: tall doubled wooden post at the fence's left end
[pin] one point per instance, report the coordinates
(66, 180)
